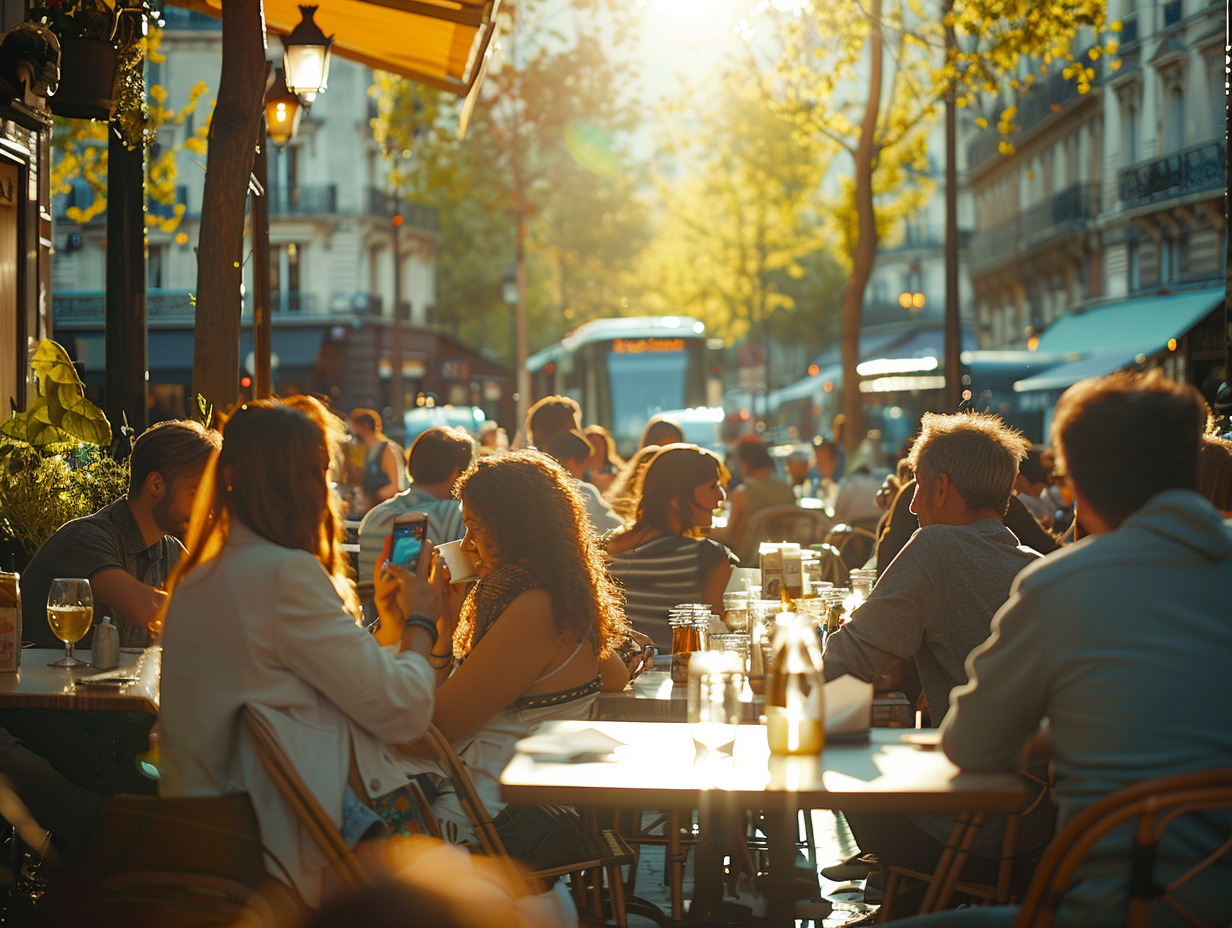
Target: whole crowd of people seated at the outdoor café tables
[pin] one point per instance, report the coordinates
(1013, 627)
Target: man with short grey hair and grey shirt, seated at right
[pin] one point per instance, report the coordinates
(936, 602)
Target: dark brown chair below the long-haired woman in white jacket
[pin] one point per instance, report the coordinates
(171, 863)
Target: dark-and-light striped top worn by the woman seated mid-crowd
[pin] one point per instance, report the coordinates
(662, 574)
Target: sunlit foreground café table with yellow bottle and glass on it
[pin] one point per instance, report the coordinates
(656, 767)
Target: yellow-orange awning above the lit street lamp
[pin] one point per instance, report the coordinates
(437, 43)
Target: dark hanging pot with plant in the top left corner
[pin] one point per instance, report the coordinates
(88, 57)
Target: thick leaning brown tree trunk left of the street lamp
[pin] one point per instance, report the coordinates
(233, 136)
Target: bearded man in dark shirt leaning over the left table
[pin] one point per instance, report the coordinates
(129, 548)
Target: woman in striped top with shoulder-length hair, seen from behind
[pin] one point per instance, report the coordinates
(663, 558)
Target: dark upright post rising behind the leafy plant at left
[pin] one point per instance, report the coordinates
(125, 381)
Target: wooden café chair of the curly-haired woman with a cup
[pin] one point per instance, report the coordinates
(603, 852)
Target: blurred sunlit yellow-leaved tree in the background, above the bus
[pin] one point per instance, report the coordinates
(744, 216)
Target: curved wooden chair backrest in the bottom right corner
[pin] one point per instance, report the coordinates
(1150, 808)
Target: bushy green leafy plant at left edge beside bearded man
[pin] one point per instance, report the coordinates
(57, 462)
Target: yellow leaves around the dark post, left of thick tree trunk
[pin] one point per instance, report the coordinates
(81, 150)
